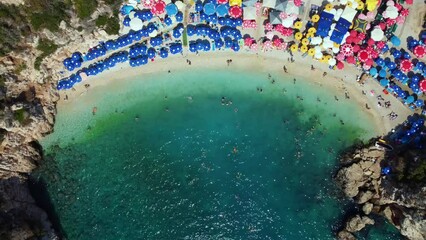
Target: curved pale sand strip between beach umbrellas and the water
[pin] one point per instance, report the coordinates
(339, 82)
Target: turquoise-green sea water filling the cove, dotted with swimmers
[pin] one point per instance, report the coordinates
(202, 155)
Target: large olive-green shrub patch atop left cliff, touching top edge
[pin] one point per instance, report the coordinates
(48, 13)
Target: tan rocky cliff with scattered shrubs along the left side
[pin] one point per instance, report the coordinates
(28, 104)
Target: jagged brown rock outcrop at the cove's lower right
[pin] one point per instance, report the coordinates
(403, 203)
